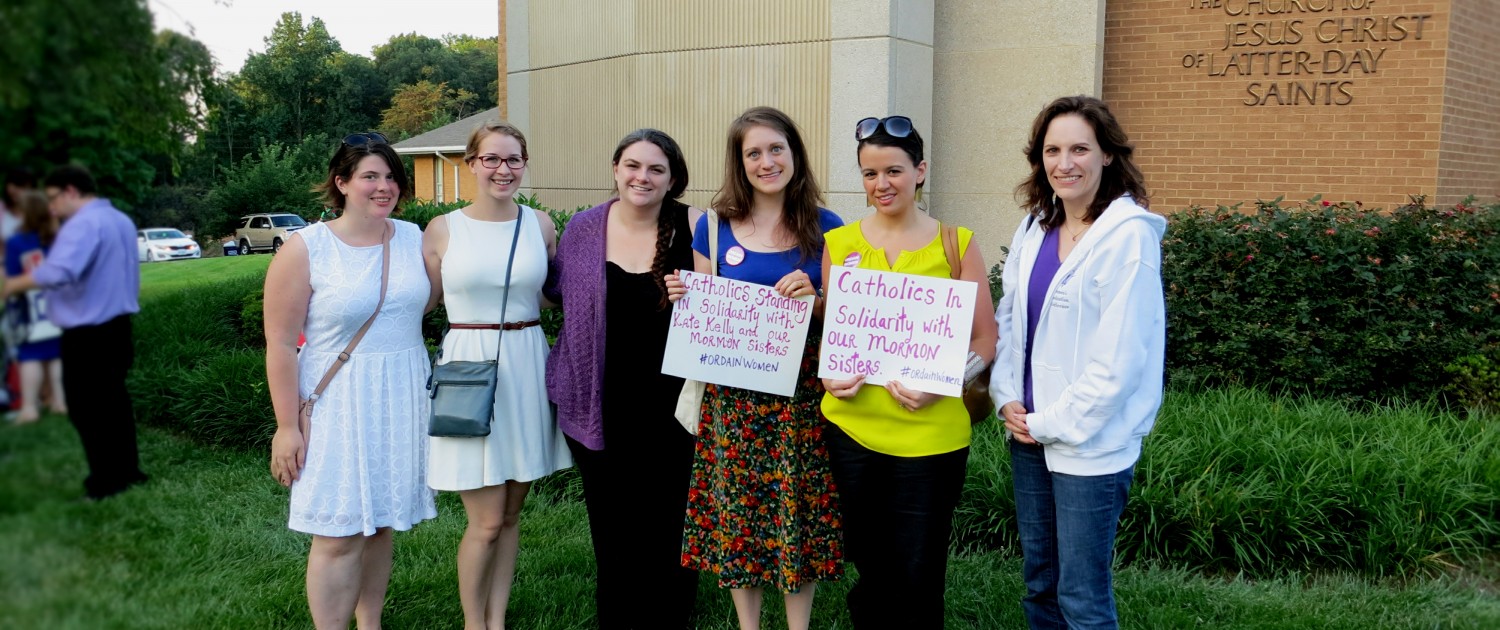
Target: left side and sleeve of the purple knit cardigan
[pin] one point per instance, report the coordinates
(577, 365)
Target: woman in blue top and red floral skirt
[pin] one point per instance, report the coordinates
(761, 511)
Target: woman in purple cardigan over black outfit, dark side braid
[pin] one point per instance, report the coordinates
(605, 377)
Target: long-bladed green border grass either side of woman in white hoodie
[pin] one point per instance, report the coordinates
(1240, 481)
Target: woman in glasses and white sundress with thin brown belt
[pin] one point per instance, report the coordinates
(466, 253)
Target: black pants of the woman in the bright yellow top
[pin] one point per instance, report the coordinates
(898, 517)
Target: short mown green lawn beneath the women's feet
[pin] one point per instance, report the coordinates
(205, 545)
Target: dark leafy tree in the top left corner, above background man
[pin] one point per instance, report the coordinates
(88, 82)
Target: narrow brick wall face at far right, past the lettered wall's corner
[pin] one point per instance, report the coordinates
(1469, 154)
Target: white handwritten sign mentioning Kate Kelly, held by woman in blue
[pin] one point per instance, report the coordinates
(737, 334)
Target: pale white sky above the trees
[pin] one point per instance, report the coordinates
(233, 29)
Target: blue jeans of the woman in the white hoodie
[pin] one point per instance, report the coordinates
(1067, 527)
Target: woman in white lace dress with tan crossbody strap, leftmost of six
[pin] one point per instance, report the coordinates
(358, 467)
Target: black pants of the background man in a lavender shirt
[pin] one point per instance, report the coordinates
(95, 364)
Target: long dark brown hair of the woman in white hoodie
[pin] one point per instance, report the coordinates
(1120, 178)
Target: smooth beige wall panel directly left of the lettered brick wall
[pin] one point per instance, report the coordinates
(995, 65)
